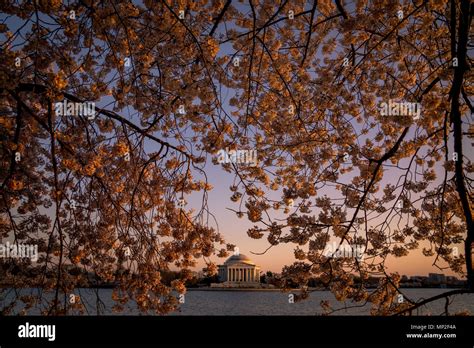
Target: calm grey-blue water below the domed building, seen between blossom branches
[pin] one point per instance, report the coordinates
(201, 302)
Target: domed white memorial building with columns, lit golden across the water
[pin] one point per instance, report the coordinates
(239, 271)
